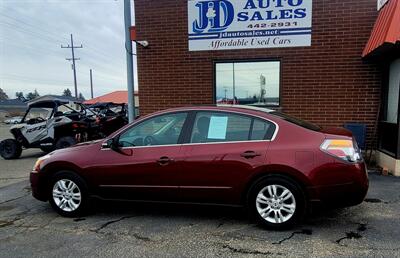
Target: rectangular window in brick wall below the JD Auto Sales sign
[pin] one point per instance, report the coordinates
(248, 83)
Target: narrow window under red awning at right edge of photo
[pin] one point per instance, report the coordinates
(393, 93)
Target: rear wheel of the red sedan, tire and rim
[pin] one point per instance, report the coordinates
(276, 202)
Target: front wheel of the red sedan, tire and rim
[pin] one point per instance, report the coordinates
(68, 194)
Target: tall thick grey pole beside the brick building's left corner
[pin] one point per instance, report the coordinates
(129, 61)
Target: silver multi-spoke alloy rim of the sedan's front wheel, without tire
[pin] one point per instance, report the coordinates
(67, 195)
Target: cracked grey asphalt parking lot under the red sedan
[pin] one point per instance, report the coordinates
(30, 228)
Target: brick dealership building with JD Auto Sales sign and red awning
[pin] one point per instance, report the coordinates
(328, 61)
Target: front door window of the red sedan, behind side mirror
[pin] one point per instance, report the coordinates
(160, 130)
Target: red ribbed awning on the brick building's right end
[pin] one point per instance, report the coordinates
(386, 30)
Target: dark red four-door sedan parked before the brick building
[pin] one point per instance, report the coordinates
(271, 163)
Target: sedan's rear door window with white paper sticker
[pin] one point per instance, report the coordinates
(220, 127)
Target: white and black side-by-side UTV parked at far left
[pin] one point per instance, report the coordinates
(50, 125)
